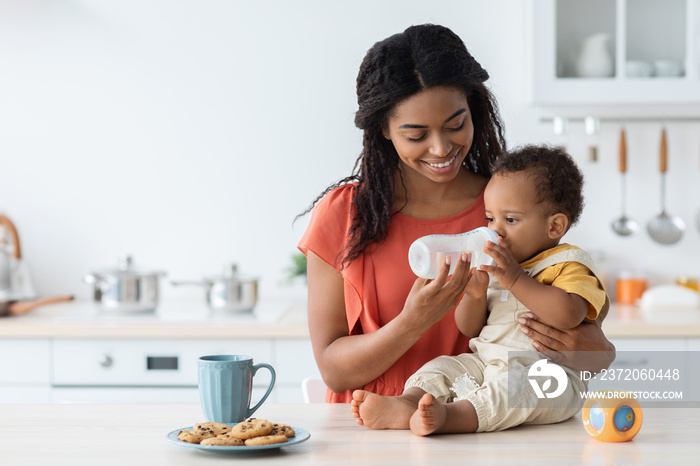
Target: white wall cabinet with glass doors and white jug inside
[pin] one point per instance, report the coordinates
(652, 47)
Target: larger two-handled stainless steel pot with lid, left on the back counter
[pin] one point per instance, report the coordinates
(125, 288)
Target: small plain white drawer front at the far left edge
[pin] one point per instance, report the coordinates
(24, 361)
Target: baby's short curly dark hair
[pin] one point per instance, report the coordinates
(557, 179)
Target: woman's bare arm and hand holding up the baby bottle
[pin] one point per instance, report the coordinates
(349, 361)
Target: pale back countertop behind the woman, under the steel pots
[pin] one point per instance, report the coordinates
(276, 319)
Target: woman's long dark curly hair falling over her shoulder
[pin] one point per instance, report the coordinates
(392, 71)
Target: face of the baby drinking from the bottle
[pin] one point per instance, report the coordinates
(513, 212)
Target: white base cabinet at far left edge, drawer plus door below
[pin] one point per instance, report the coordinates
(24, 371)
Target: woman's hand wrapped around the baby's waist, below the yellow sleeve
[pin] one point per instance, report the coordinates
(582, 348)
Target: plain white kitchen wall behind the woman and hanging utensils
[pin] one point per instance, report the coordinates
(189, 134)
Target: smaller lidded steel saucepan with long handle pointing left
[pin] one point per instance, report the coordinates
(229, 292)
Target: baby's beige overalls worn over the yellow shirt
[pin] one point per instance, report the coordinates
(485, 374)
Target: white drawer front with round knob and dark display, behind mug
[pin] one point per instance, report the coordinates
(151, 362)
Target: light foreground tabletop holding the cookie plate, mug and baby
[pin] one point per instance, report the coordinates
(92, 434)
